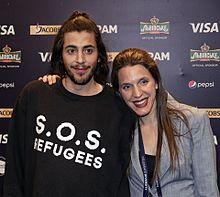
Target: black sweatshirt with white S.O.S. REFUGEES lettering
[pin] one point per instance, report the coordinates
(65, 145)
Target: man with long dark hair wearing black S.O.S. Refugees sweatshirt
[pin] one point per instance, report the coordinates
(71, 138)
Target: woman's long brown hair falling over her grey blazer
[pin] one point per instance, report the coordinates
(134, 56)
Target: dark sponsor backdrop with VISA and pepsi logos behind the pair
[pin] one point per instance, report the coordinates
(182, 36)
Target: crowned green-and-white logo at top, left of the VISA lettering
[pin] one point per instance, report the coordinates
(154, 27)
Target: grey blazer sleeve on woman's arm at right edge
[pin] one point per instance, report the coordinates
(204, 157)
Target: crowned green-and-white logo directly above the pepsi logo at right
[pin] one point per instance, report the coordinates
(204, 54)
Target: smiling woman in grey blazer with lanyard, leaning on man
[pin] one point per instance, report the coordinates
(173, 151)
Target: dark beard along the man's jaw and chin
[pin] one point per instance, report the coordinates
(81, 81)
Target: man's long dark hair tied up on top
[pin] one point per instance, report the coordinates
(79, 22)
